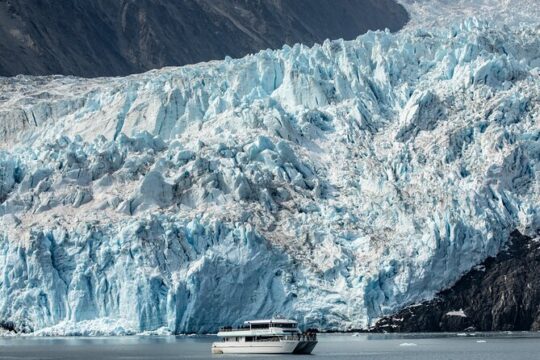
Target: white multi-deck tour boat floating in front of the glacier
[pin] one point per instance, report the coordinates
(276, 336)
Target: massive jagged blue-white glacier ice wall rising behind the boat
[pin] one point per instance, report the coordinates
(332, 184)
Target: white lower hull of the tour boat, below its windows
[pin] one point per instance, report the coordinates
(266, 347)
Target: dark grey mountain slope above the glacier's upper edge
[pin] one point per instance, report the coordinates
(118, 37)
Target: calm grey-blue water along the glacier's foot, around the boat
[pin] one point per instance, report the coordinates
(492, 346)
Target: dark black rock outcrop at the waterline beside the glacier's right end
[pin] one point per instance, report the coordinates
(502, 293)
